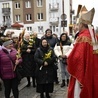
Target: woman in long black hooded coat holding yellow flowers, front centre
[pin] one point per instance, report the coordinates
(45, 58)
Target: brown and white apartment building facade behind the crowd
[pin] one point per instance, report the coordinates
(38, 15)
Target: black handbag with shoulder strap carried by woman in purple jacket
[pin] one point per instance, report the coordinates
(19, 69)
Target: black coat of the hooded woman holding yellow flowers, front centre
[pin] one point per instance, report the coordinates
(44, 74)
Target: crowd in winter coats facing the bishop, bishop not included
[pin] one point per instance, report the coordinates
(38, 60)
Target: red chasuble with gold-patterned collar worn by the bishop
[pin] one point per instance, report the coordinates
(83, 66)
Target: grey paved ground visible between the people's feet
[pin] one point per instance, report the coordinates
(30, 92)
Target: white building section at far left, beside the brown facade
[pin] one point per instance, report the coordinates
(6, 13)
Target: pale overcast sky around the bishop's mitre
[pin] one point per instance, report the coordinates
(89, 5)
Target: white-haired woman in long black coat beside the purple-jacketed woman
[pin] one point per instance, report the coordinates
(27, 53)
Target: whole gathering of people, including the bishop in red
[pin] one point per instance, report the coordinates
(40, 58)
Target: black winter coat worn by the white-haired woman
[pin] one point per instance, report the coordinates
(28, 59)
